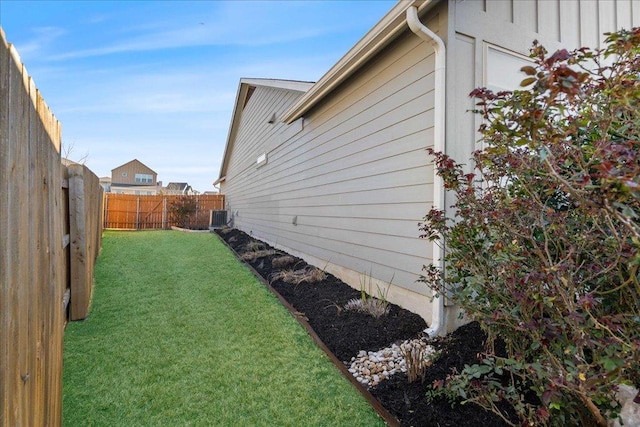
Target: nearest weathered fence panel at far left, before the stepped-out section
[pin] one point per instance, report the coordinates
(31, 234)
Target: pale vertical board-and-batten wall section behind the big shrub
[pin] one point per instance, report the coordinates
(481, 28)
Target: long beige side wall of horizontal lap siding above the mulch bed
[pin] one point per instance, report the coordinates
(346, 192)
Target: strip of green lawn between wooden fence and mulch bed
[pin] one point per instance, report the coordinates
(181, 333)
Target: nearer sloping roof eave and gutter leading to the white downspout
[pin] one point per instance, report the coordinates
(385, 31)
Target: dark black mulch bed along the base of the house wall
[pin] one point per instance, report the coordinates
(345, 333)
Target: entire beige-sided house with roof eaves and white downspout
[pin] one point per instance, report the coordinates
(337, 172)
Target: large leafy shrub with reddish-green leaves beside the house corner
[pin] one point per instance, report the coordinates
(543, 251)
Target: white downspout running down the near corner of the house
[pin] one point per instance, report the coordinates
(437, 326)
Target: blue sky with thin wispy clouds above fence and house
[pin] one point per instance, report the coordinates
(156, 80)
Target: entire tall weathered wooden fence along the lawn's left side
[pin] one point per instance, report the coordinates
(49, 238)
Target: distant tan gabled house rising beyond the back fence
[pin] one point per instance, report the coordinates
(134, 177)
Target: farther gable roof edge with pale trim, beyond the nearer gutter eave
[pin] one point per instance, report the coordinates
(245, 90)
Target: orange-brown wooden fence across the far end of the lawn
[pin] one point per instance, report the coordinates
(133, 212)
